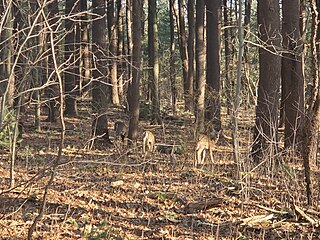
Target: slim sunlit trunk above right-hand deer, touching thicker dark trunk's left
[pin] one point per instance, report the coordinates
(200, 66)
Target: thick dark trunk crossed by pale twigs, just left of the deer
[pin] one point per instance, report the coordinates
(101, 90)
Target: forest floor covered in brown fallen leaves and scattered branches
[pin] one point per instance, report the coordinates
(118, 193)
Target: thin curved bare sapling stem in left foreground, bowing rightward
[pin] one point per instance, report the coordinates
(56, 163)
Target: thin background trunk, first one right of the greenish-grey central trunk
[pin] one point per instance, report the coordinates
(172, 58)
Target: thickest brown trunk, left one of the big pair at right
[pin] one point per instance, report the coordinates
(266, 127)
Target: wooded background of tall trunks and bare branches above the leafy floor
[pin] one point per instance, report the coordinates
(155, 60)
